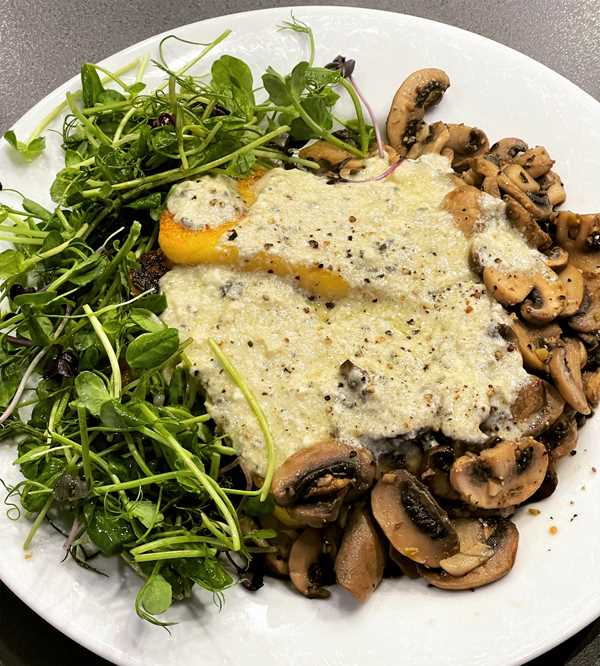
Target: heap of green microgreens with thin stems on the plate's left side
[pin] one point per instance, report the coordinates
(117, 440)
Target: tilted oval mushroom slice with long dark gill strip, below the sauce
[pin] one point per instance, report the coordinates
(412, 520)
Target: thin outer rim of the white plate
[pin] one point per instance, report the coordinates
(107, 650)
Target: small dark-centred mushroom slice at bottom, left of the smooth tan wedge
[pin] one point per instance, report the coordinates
(309, 568)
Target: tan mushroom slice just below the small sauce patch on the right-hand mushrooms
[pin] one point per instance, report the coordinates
(546, 296)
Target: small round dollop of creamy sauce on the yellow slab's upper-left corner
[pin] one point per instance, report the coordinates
(207, 202)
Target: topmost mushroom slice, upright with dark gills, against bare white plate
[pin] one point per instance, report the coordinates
(421, 90)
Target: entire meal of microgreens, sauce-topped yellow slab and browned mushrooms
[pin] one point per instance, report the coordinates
(272, 343)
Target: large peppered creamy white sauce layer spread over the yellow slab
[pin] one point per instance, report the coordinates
(418, 324)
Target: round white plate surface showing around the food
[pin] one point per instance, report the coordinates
(554, 589)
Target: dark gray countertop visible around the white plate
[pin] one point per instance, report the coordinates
(43, 43)
